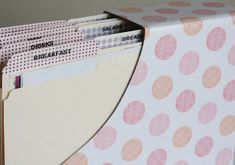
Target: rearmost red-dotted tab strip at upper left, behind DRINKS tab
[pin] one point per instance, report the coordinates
(11, 29)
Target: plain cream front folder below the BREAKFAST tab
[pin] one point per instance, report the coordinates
(85, 100)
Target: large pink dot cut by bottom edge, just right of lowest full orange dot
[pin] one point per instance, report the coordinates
(157, 157)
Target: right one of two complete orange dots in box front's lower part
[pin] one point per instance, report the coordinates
(182, 136)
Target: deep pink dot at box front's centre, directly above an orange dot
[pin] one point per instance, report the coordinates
(185, 101)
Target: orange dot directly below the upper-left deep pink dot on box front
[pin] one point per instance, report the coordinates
(162, 87)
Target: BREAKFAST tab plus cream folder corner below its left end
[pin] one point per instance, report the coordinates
(41, 58)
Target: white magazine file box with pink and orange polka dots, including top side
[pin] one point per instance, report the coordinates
(179, 108)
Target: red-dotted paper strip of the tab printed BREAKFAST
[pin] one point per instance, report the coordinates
(22, 62)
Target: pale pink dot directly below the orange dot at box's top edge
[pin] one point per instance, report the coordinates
(189, 63)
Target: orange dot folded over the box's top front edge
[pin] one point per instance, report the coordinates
(191, 25)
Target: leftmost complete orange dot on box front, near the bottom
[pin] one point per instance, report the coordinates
(131, 149)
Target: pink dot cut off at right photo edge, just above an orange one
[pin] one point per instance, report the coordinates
(229, 91)
